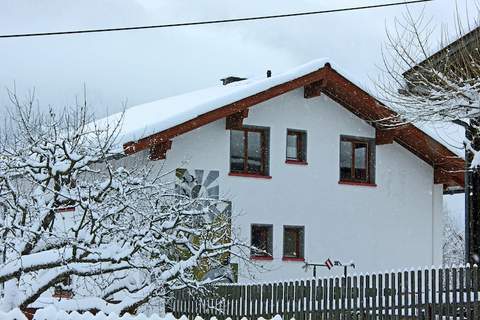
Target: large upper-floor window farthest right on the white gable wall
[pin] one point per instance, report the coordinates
(357, 159)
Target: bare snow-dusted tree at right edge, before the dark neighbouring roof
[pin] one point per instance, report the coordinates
(424, 86)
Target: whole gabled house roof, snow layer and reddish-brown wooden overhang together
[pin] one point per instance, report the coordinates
(152, 124)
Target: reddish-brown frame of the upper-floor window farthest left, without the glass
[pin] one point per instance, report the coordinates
(263, 152)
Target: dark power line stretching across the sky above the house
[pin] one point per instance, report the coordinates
(198, 23)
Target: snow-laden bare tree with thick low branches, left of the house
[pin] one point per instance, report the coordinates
(75, 216)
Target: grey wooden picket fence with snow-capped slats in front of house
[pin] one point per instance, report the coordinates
(445, 293)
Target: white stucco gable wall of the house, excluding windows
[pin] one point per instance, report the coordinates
(394, 225)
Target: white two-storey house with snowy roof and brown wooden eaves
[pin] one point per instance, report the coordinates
(309, 170)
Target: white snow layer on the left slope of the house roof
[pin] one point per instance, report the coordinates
(146, 119)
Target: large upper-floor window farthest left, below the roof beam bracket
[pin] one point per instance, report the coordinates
(249, 151)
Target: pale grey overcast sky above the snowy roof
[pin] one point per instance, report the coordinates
(141, 66)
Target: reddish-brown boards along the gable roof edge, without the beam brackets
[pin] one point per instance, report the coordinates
(347, 94)
